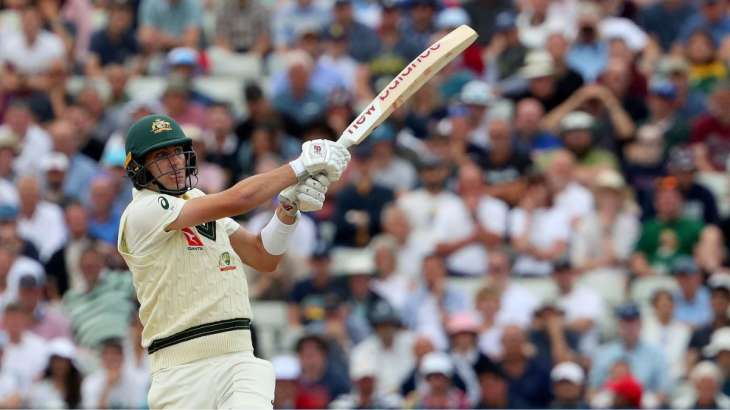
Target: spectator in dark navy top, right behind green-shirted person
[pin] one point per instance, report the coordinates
(699, 202)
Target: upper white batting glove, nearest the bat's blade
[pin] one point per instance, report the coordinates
(321, 157)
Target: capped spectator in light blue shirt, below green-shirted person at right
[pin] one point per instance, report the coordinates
(693, 298)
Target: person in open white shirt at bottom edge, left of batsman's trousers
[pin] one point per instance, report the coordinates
(113, 385)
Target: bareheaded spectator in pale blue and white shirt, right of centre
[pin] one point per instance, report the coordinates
(427, 304)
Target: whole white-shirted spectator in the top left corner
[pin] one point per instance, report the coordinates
(31, 50)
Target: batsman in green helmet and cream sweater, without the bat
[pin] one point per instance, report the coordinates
(186, 256)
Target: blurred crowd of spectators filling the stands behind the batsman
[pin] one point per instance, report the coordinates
(571, 167)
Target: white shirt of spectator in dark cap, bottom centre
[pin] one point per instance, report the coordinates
(388, 377)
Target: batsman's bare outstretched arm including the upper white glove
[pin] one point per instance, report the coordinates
(319, 156)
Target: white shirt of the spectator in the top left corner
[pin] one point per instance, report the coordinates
(33, 58)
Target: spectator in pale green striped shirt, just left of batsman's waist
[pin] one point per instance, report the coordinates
(101, 310)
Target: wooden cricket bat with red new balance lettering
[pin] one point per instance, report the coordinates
(407, 82)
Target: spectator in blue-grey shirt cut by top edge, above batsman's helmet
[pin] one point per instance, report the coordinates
(166, 24)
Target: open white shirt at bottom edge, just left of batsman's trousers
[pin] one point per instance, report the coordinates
(127, 393)
